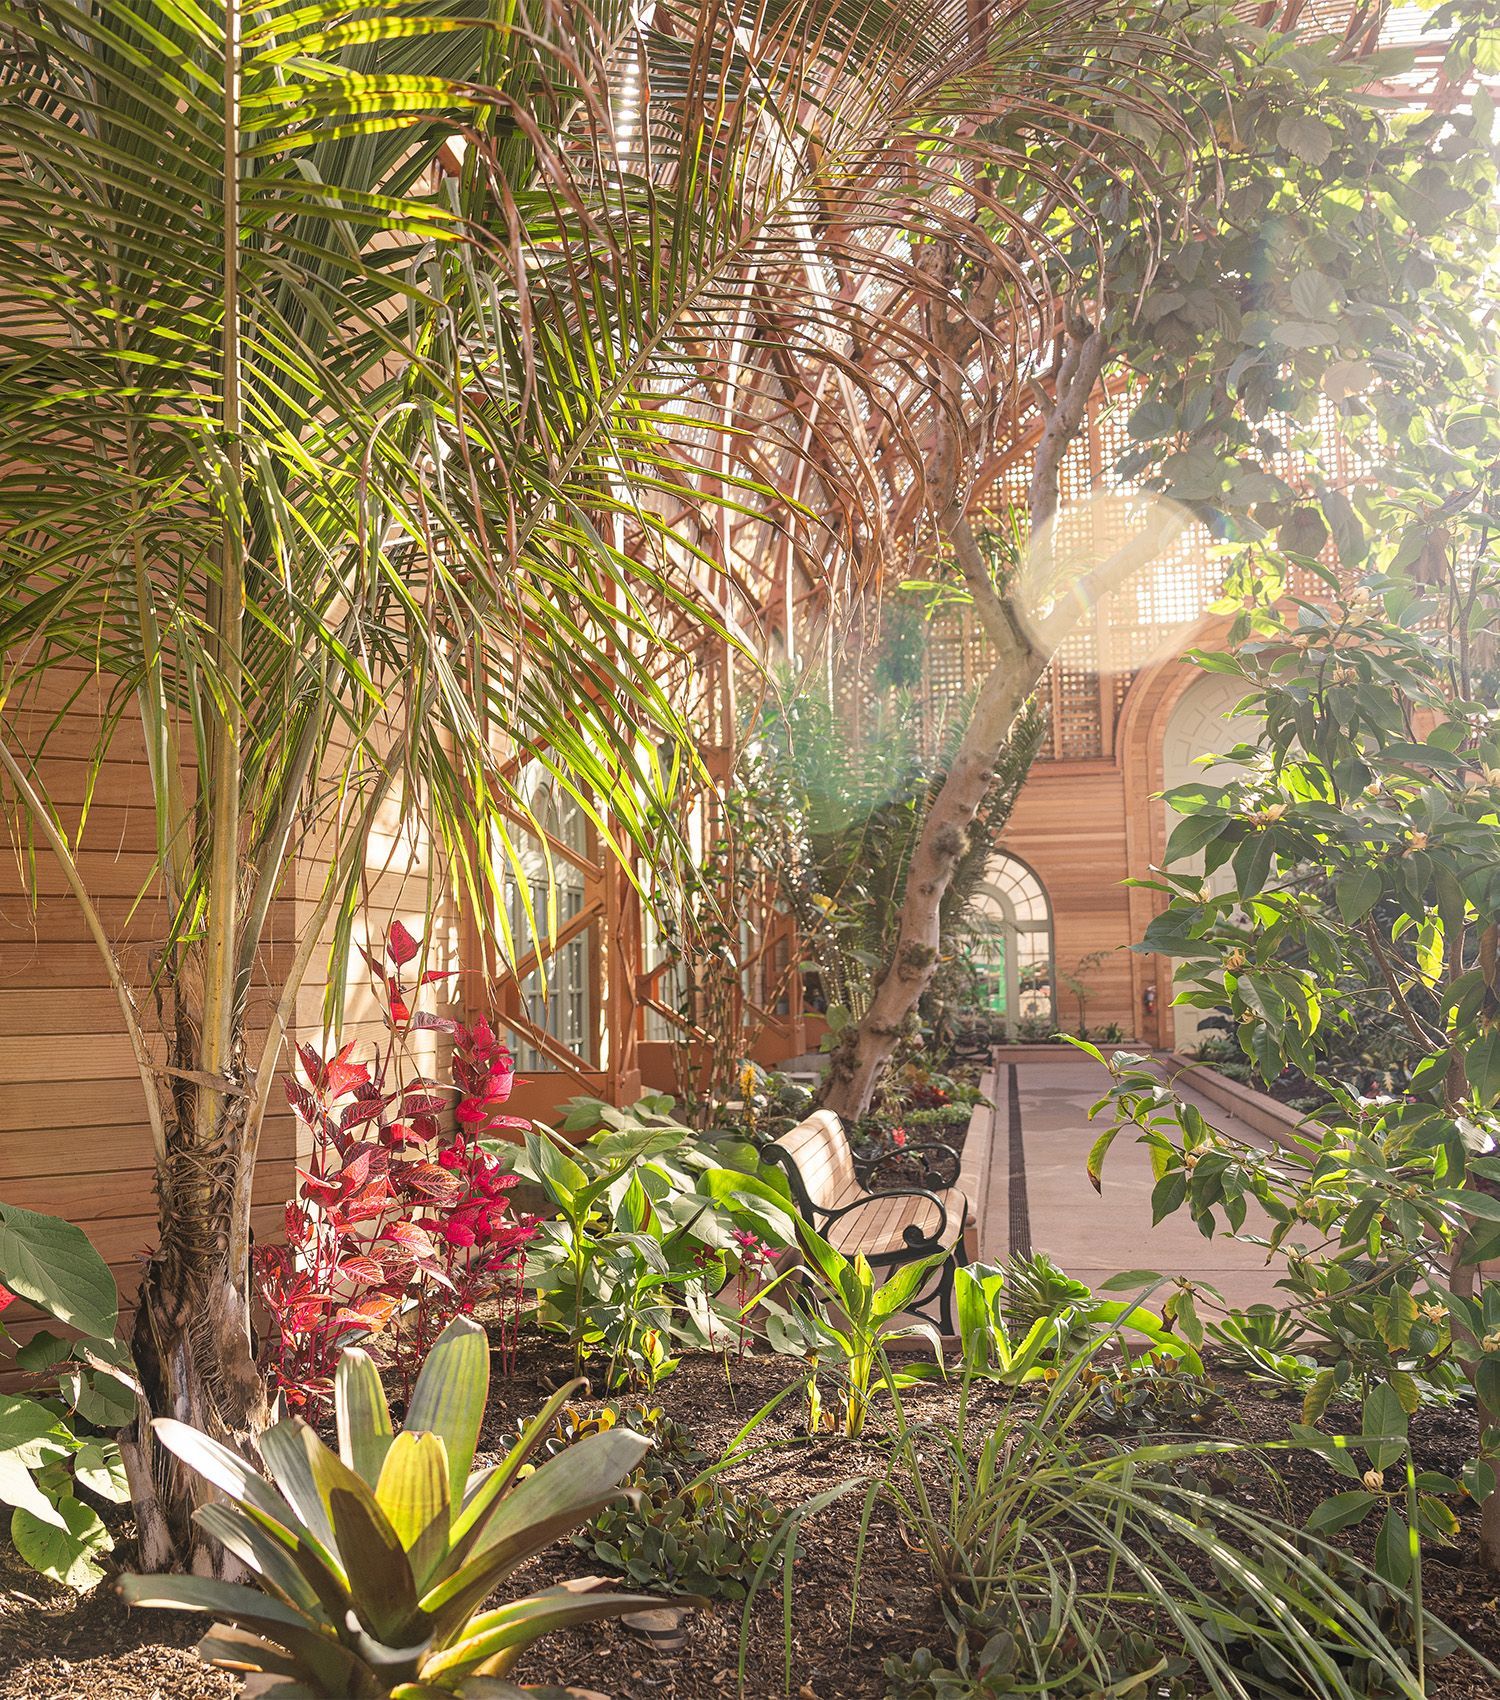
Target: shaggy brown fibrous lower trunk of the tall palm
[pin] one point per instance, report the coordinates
(193, 1339)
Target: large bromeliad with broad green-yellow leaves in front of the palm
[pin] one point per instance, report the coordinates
(375, 1560)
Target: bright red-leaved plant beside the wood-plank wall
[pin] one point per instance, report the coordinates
(397, 1225)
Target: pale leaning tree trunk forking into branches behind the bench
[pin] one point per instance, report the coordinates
(1023, 650)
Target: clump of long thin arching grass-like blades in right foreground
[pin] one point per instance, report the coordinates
(1035, 1519)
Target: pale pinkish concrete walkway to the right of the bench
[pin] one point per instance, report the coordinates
(1099, 1235)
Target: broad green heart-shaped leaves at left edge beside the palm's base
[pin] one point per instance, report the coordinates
(55, 1437)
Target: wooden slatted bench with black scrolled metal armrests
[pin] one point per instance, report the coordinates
(890, 1225)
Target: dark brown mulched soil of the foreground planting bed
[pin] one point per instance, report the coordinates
(55, 1646)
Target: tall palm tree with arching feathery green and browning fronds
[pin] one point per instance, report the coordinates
(378, 375)
